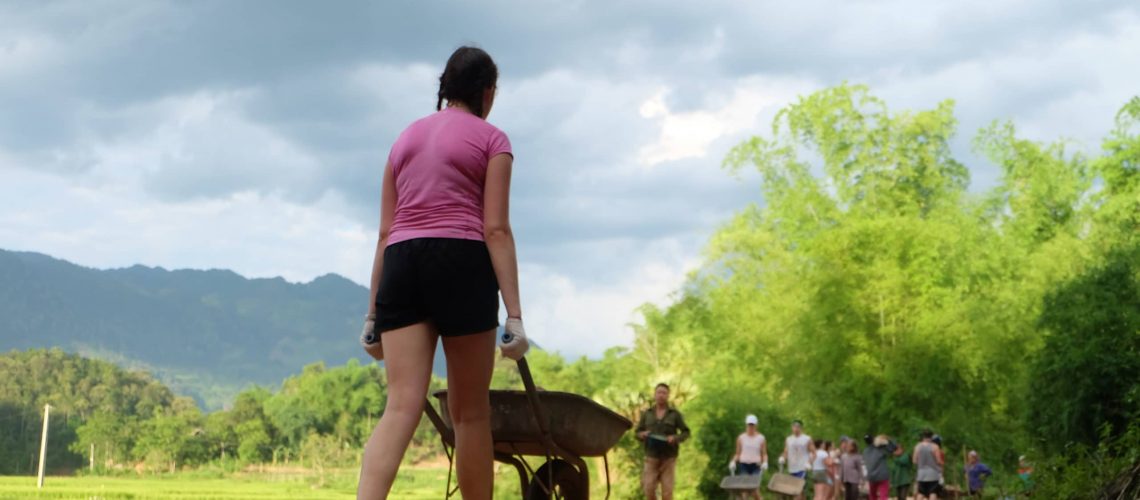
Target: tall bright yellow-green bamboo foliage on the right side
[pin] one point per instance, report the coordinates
(873, 292)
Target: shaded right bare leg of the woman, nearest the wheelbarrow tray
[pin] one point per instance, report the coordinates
(470, 362)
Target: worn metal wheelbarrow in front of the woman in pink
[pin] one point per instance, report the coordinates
(563, 428)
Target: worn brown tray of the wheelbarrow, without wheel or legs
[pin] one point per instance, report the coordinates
(577, 424)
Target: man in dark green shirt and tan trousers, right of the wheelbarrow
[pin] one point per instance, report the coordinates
(663, 430)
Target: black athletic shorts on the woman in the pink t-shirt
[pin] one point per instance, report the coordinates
(450, 283)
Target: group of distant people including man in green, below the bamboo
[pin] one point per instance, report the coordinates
(883, 470)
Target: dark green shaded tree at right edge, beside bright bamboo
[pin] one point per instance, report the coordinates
(1088, 375)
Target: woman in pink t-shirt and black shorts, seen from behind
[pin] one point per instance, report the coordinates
(445, 253)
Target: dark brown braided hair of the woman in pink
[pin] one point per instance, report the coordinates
(470, 71)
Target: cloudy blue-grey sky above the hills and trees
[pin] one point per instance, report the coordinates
(251, 135)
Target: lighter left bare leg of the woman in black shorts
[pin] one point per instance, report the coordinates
(409, 356)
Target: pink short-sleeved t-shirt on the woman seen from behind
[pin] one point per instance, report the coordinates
(441, 166)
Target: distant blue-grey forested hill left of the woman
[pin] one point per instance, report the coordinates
(207, 334)
